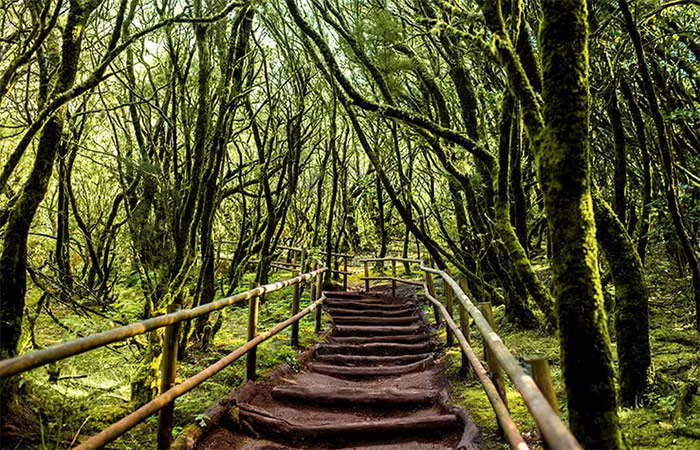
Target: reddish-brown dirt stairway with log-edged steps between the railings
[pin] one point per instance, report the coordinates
(374, 385)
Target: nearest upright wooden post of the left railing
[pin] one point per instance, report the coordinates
(168, 370)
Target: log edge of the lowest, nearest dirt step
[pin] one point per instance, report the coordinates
(344, 433)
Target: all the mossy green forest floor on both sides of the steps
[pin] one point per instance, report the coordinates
(92, 390)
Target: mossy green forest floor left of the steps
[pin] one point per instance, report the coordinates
(93, 389)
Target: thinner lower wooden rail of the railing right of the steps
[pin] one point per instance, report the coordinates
(510, 430)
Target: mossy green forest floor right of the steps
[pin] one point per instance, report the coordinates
(655, 424)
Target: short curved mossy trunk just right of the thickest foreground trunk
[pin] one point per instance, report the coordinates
(631, 302)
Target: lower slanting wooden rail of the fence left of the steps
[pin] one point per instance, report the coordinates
(125, 424)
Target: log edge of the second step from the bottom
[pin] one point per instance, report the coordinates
(334, 396)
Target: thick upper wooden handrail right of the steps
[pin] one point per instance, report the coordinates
(553, 429)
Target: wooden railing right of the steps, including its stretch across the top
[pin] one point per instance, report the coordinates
(536, 390)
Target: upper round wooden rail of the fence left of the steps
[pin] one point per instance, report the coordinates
(23, 363)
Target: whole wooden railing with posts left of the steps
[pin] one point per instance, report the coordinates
(165, 402)
